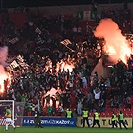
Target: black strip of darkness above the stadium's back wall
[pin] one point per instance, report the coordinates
(40, 3)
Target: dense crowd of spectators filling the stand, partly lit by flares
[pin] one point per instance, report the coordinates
(38, 42)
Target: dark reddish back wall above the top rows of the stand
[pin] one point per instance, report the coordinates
(74, 9)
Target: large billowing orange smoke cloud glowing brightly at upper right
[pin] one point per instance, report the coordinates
(115, 43)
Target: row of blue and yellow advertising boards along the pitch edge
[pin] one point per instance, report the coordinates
(65, 122)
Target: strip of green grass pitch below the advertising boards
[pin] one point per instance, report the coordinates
(64, 130)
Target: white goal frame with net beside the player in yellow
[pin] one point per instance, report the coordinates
(17, 110)
